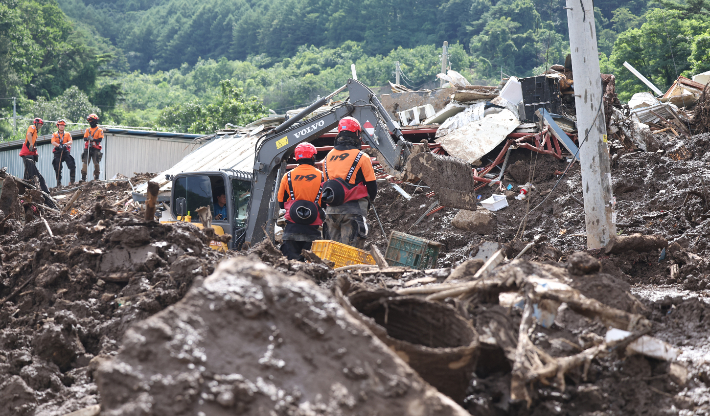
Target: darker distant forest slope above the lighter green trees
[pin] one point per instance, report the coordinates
(517, 35)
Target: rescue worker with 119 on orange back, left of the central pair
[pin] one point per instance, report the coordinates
(299, 194)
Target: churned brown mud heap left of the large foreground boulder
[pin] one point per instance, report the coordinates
(68, 297)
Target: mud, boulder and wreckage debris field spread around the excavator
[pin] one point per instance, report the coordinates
(103, 310)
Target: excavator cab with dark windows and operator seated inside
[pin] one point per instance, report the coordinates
(226, 192)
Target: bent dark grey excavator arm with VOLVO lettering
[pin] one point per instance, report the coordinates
(274, 148)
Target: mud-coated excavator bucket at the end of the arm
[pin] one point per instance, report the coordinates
(451, 179)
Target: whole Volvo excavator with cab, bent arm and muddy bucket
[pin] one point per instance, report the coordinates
(252, 195)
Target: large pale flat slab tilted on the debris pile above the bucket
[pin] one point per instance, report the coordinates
(474, 140)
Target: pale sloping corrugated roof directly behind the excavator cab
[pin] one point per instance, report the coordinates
(221, 152)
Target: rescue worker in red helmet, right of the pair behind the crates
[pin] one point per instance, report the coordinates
(349, 188)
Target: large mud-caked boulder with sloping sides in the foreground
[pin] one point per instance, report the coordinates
(245, 340)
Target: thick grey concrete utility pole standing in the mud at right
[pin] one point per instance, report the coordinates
(594, 153)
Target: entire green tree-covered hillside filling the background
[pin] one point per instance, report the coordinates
(140, 62)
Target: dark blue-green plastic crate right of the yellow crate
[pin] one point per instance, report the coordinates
(410, 251)
